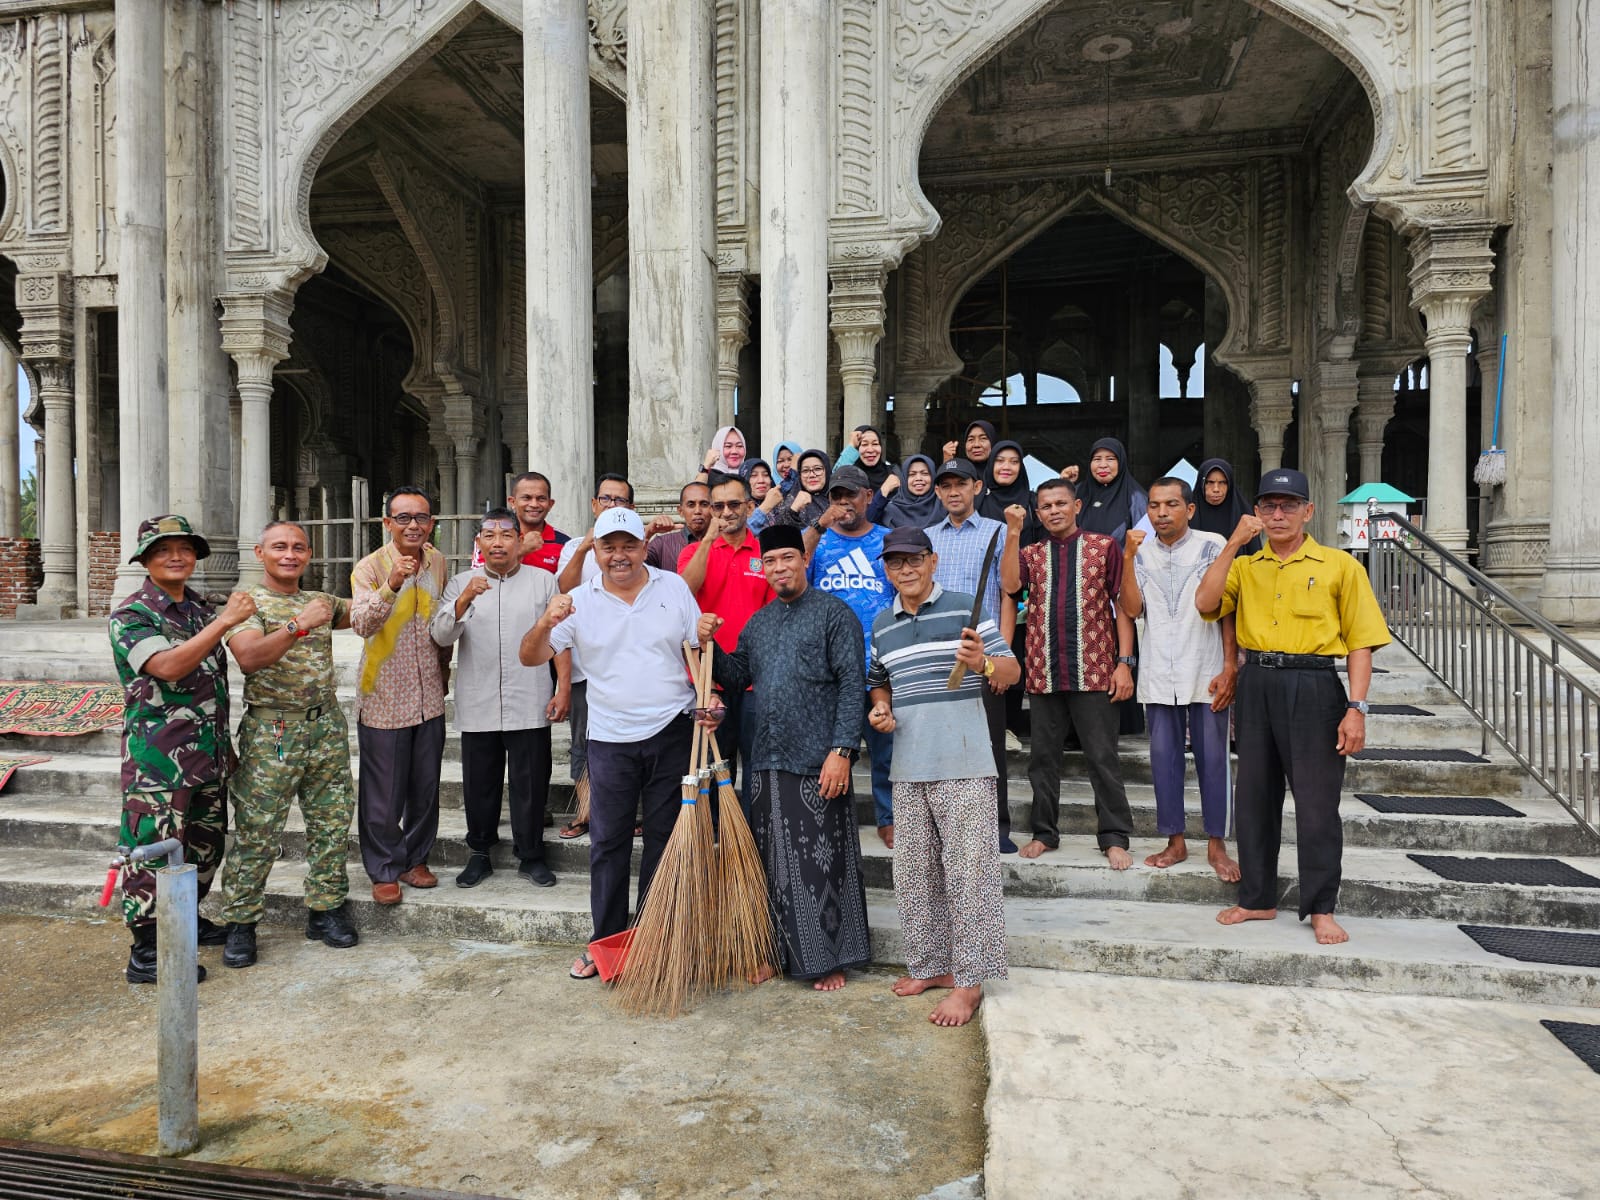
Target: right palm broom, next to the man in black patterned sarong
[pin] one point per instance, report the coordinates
(746, 943)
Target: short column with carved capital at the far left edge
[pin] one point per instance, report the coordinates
(46, 303)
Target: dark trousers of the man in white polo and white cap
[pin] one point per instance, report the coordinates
(622, 778)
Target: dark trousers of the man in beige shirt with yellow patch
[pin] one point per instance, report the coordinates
(398, 796)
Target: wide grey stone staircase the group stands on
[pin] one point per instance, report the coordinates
(1065, 911)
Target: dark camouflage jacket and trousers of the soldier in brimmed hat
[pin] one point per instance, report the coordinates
(175, 750)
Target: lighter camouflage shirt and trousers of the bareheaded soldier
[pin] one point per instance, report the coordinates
(284, 756)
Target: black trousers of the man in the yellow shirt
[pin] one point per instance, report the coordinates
(1289, 732)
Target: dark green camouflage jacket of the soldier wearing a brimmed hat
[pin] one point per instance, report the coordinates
(174, 735)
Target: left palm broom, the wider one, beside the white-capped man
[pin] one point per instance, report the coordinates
(666, 961)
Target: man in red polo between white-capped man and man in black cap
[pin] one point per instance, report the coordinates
(727, 578)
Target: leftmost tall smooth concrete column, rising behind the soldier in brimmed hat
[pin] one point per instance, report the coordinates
(142, 271)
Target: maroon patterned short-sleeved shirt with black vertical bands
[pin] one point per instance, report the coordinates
(1071, 623)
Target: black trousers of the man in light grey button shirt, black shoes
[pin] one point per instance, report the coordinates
(486, 759)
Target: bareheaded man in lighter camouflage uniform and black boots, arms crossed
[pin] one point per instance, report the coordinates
(292, 743)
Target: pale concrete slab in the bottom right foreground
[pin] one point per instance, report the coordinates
(1153, 1089)
